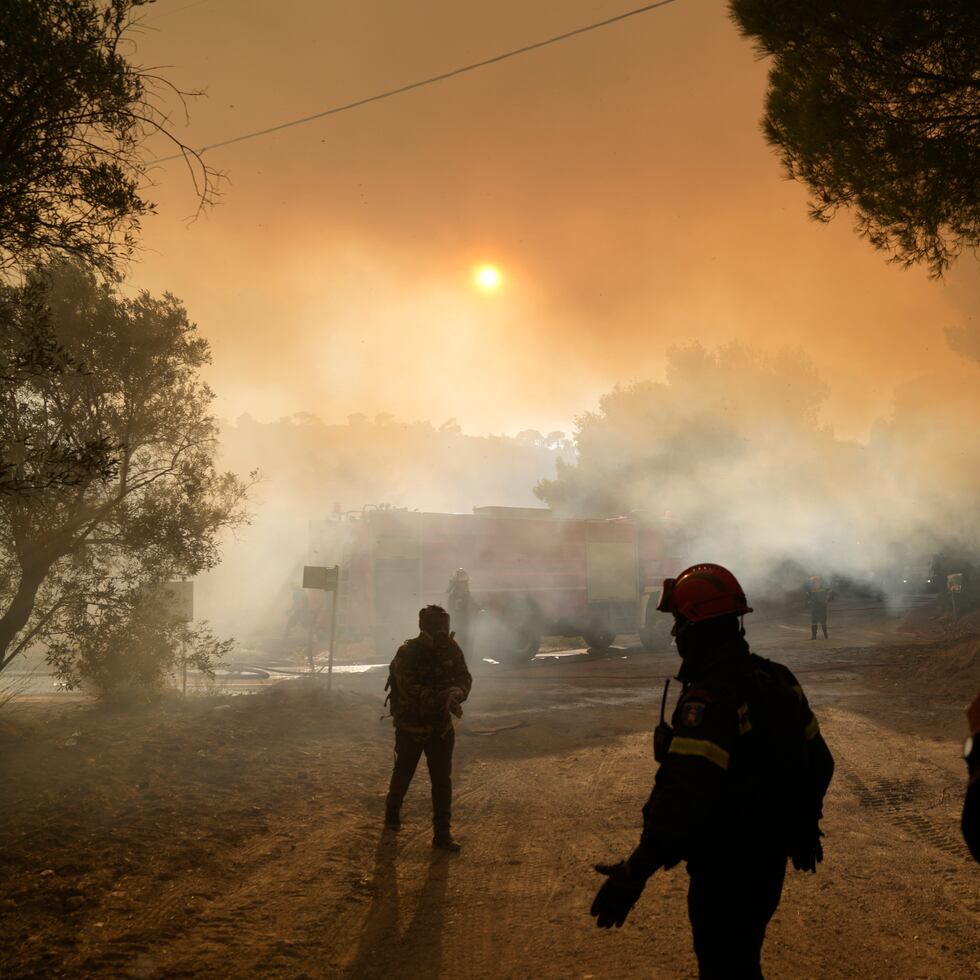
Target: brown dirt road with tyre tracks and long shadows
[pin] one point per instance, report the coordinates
(241, 838)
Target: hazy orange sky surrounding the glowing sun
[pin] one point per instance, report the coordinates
(619, 180)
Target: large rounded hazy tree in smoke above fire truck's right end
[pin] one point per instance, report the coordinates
(717, 412)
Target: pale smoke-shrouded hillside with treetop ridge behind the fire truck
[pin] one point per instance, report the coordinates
(312, 470)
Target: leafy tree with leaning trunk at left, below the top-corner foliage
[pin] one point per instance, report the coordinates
(76, 560)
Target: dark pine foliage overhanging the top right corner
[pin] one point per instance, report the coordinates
(875, 106)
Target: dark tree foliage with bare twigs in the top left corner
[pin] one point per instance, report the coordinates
(74, 114)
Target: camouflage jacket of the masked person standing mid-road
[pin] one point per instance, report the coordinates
(422, 676)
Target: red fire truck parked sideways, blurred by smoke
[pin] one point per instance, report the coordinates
(533, 574)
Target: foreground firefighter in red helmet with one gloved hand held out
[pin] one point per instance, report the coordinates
(740, 787)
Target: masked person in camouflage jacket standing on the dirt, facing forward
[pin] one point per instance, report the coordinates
(428, 682)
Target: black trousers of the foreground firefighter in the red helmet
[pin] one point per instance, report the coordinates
(730, 905)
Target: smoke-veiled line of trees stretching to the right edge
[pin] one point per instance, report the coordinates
(732, 450)
